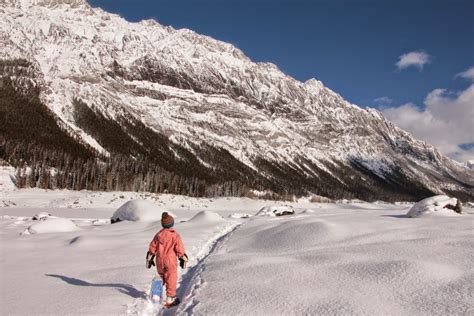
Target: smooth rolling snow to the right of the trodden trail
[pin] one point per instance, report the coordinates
(364, 263)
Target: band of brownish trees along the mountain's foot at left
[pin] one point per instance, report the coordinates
(118, 173)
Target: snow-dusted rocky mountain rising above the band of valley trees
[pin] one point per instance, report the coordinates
(211, 108)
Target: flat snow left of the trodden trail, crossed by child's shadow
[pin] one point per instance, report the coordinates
(99, 270)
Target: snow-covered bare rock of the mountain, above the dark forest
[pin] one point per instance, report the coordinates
(195, 89)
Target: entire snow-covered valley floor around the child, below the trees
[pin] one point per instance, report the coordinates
(334, 259)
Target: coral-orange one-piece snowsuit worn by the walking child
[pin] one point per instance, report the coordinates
(167, 247)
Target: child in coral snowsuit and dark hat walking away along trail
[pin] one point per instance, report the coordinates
(168, 247)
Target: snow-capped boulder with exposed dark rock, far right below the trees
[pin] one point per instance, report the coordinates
(435, 205)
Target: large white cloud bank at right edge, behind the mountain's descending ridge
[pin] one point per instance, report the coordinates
(446, 122)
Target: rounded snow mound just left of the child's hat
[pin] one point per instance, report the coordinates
(137, 211)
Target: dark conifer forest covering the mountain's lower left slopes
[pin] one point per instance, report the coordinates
(48, 156)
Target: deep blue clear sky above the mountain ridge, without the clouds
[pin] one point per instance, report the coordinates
(352, 46)
